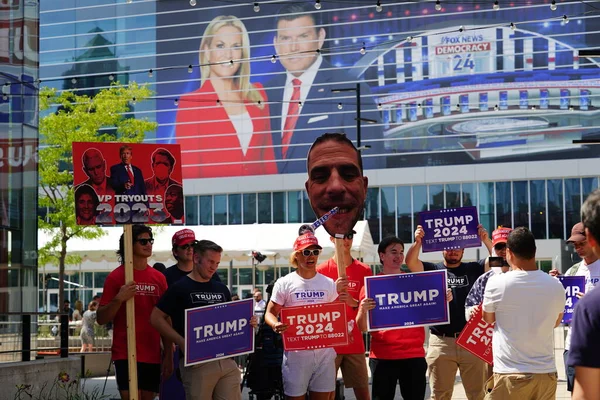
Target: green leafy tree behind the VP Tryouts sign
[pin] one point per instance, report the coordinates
(105, 117)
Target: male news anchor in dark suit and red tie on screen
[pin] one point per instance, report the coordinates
(309, 80)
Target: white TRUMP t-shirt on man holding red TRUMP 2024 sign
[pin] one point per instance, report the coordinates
(293, 290)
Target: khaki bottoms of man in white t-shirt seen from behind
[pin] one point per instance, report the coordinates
(523, 386)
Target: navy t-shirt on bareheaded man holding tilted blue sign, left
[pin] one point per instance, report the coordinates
(188, 293)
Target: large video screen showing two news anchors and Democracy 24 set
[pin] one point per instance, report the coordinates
(246, 88)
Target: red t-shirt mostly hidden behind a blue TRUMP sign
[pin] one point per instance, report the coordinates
(396, 344)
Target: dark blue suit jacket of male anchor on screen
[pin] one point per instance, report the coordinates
(320, 114)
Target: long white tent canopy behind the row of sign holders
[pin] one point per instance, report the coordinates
(238, 241)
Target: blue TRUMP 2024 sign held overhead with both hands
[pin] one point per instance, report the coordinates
(452, 228)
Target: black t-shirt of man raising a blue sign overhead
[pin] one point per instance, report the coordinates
(460, 280)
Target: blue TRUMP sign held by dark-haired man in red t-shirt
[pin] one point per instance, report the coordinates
(407, 300)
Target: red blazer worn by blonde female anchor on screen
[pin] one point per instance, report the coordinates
(199, 115)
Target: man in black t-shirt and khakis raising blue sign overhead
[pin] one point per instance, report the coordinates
(443, 355)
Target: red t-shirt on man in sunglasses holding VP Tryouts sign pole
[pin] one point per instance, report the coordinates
(151, 285)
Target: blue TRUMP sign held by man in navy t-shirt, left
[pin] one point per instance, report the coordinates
(218, 331)
